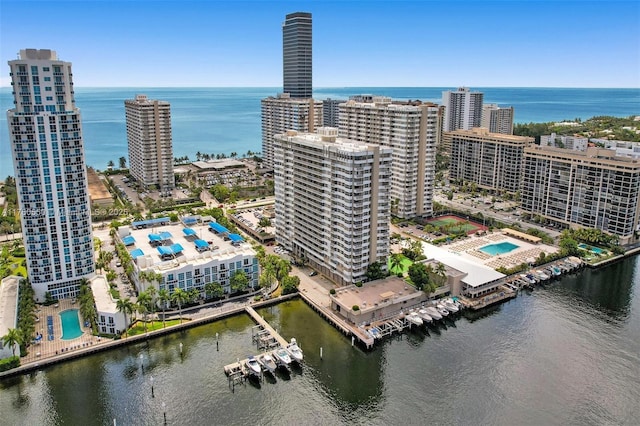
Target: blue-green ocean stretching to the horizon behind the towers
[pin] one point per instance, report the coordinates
(224, 120)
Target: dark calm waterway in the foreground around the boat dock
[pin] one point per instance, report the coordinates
(568, 354)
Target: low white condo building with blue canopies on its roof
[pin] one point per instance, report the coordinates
(187, 255)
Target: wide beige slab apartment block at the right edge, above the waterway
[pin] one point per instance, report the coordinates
(593, 188)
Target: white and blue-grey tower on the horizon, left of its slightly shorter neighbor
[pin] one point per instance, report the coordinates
(463, 109)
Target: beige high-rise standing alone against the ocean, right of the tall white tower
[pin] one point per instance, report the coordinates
(150, 142)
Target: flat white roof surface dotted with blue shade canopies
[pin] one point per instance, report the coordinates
(193, 243)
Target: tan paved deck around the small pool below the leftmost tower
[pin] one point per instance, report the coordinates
(48, 348)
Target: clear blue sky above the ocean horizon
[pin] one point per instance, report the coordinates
(374, 43)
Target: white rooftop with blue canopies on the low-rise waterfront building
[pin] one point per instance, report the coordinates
(195, 239)
